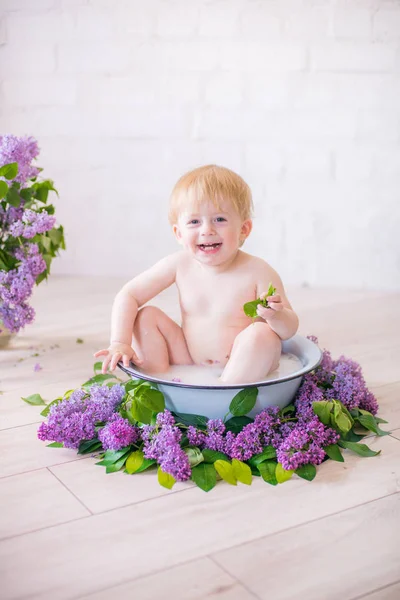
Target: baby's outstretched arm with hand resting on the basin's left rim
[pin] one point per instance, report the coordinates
(127, 302)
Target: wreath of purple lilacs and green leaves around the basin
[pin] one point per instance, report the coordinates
(128, 425)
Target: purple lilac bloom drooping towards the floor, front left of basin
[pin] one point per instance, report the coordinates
(164, 447)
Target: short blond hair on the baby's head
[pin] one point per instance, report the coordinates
(210, 183)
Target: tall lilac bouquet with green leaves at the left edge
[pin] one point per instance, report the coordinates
(29, 237)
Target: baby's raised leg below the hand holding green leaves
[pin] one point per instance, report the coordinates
(255, 353)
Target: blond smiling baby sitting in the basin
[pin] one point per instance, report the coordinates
(210, 213)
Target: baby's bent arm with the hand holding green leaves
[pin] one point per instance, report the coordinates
(280, 316)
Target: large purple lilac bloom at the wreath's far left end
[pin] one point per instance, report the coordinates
(74, 420)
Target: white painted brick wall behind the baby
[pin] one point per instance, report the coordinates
(301, 97)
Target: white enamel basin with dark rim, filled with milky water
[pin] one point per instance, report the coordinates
(201, 393)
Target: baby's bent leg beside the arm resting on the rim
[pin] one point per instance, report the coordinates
(159, 341)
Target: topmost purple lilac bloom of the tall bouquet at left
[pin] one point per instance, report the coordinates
(22, 150)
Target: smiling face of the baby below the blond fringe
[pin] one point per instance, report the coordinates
(212, 236)
